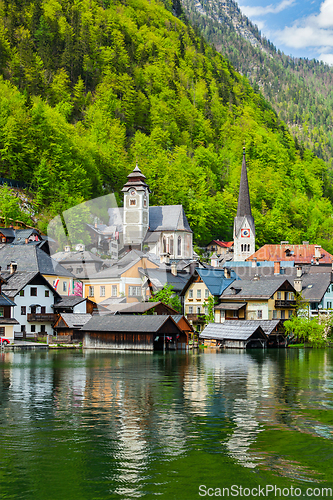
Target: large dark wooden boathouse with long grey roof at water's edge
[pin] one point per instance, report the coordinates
(131, 332)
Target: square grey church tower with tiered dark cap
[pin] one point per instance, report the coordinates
(136, 209)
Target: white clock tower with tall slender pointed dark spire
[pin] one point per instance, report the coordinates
(244, 229)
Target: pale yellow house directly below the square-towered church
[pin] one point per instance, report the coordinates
(122, 279)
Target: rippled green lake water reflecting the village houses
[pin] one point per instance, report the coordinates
(101, 425)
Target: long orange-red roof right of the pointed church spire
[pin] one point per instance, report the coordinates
(302, 254)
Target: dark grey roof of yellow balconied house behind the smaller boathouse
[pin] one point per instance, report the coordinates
(261, 289)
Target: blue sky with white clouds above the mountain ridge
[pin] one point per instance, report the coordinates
(298, 28)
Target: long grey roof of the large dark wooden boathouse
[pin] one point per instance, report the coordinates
(129, 323)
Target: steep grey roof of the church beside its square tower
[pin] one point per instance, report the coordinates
(168, 218)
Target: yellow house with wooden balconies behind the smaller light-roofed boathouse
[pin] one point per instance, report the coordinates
(265, 298)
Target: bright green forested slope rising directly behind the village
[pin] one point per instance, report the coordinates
(88, 88)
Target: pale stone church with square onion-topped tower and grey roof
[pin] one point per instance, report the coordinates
(163, 231)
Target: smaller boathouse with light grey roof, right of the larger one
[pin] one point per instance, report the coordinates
(234, 334)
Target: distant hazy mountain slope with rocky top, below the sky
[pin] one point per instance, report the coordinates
(300, 90)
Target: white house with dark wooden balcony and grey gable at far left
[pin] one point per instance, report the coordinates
(34, 298)
